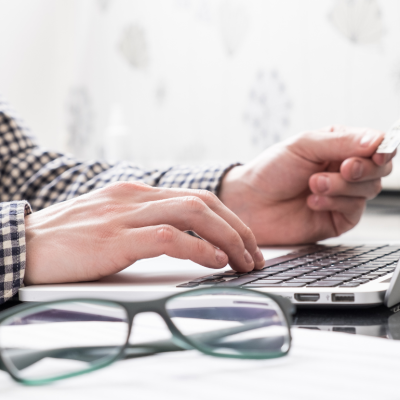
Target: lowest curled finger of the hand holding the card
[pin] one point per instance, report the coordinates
(346, 211)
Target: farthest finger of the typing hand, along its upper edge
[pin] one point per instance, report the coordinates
(220, 209)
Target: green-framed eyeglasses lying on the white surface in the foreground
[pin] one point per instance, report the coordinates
(41, 343)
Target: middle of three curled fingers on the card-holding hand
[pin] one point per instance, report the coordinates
(333, 184)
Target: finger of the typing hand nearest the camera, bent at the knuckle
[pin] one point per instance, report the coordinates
(154, 241)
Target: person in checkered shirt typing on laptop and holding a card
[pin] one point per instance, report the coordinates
(65, 220)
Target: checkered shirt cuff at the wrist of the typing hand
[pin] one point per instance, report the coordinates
(12, 247)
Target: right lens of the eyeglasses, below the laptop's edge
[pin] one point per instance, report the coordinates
(246, 324)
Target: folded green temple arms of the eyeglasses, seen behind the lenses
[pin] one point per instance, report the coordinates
(23, 358)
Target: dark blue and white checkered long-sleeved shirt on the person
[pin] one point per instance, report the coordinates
(34, 178)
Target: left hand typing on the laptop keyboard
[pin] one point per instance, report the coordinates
(105, 231)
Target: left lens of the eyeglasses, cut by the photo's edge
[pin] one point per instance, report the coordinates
(59, 339)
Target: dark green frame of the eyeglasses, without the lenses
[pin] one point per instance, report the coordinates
(178, 341)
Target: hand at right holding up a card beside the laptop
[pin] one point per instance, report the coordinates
(309, 187)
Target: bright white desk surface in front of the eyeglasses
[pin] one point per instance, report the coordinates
(321, 365)
